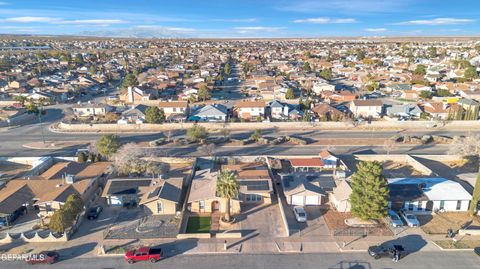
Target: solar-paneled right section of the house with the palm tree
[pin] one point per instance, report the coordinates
(255, 182)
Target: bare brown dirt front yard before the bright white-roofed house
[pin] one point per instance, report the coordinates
(440, 223)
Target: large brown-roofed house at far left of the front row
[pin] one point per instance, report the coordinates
(48, 191)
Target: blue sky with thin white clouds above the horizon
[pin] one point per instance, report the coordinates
(244, 18)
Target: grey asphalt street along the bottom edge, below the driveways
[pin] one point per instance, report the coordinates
(437, 260)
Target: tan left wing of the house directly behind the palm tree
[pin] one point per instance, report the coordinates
(203, 195)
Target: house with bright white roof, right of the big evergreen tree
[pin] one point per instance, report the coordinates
(427, 195)
